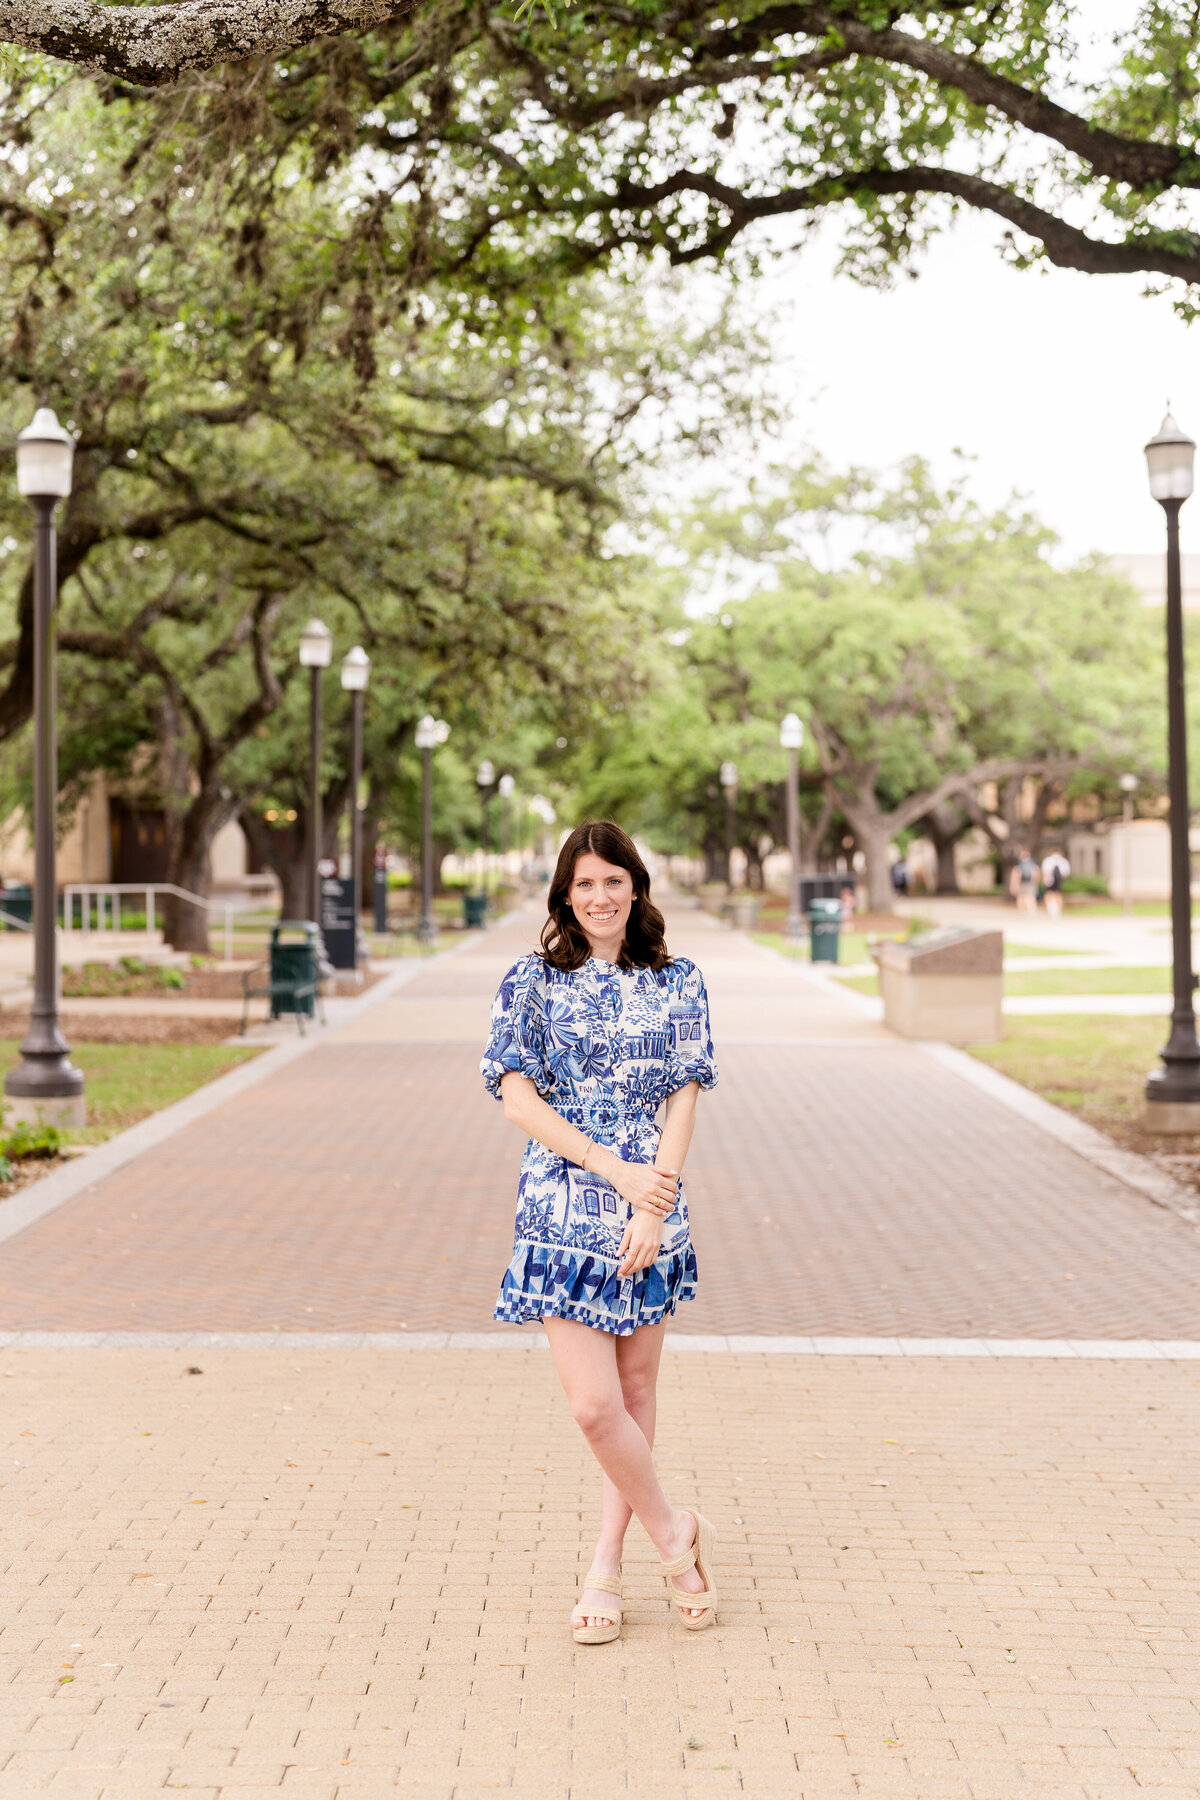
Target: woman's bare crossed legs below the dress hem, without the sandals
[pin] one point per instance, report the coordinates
(589, 1367)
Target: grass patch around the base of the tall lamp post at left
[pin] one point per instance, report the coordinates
(125, 1083)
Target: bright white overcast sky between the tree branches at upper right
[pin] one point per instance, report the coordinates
(1050, 381)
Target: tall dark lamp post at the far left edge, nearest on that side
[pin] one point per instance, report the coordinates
(46, 1086)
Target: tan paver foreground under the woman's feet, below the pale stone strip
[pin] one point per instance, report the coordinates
(343, 1576)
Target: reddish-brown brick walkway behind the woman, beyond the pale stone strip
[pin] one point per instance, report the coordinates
(841, 1183)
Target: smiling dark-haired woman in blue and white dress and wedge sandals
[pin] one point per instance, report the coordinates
(589, 1041)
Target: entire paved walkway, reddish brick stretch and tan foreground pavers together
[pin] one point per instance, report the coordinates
(345, 1574)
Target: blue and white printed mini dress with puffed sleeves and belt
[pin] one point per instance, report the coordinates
(604, 1047)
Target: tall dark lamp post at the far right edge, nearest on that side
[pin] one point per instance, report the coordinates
(1174, 1092)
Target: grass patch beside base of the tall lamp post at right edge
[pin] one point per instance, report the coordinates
(1091, 1066)
